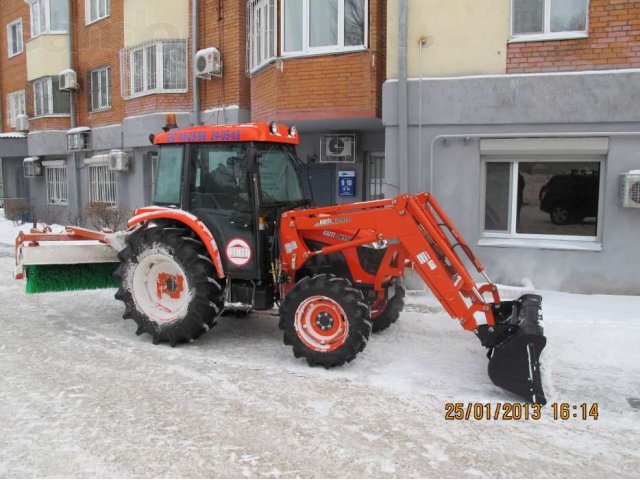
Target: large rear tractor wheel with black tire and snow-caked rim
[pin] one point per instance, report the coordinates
(177, 247)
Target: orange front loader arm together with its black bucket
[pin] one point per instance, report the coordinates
(414, 230)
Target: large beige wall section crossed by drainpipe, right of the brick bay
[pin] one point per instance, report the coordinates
(464, 37)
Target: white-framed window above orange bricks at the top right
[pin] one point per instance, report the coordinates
(532, 19)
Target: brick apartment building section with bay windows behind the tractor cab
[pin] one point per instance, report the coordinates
(130, 62)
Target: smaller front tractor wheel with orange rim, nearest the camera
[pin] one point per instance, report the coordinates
(325, 320)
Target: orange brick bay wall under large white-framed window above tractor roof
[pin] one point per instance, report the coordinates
(324, 86)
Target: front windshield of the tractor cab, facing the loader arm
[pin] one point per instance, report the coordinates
(278, 175)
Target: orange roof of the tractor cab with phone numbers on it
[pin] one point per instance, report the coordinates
(249, 132)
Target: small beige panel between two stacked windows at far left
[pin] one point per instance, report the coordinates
(47, 55)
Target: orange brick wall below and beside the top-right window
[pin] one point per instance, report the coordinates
(614, 42)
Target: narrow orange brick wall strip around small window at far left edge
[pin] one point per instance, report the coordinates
(13, 71)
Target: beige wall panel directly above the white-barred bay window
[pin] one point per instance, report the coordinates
(146, 20)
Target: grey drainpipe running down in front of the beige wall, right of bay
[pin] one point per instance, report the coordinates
(403, 121)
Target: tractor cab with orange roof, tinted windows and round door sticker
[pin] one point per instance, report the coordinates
(235, 179)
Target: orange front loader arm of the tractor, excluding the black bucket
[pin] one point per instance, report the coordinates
(414, 227)
